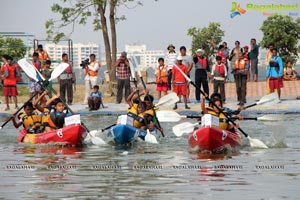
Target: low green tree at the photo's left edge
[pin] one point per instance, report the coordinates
(14, 47)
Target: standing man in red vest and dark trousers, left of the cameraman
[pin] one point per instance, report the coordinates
(65, 81)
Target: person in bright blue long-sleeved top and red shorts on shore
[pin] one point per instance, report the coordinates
(275, 72)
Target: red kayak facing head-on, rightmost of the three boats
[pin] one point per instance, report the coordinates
(214, 140)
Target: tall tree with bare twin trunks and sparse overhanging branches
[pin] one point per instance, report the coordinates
(78, 11)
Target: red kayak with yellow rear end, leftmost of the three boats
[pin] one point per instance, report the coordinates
(71, 135)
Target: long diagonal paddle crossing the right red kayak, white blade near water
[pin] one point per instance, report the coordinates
(253, 142)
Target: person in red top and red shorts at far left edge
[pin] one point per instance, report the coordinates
(8, 75)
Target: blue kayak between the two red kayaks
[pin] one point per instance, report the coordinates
(124, 134)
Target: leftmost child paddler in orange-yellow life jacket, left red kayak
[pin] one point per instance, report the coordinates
(30, 119)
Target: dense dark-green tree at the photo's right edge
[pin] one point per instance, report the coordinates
(284, 33)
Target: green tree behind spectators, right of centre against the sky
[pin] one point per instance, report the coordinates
(205, 37)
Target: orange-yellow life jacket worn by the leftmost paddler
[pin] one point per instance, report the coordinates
(30, 121)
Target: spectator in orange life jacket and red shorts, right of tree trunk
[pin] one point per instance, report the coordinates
(161, 75)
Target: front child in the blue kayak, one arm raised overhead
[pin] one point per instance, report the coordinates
(137, 110)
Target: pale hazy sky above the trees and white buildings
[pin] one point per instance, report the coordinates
(155, 24)
